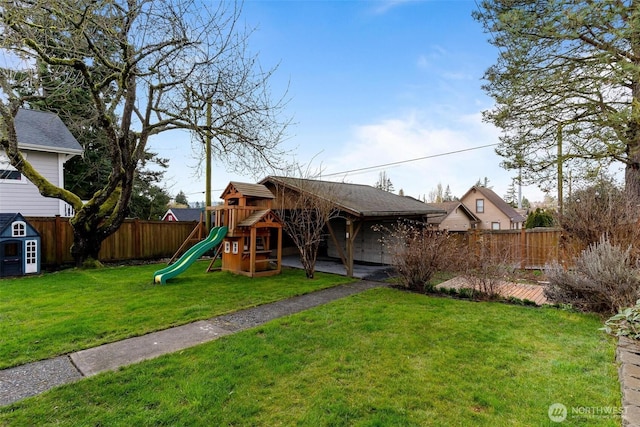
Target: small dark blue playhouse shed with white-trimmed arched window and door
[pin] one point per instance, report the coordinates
(19, 246)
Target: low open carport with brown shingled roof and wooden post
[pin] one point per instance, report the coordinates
(362, 207)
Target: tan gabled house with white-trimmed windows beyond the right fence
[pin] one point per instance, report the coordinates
(493, 212)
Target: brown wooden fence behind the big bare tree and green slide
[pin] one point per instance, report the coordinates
(134, 240)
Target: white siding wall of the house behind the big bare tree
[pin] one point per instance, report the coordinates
(24, 197)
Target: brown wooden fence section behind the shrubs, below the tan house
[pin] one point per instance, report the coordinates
(524, 248)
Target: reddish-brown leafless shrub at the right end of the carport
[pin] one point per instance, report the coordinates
(418, 252)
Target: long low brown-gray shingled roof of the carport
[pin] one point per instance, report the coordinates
(358, 199)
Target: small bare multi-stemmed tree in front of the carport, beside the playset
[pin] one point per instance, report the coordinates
(305, 207)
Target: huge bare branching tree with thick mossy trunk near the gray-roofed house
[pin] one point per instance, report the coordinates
(149, 67)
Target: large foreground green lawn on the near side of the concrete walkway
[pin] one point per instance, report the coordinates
(380, 358)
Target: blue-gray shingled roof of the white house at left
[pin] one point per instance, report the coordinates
(44, 131)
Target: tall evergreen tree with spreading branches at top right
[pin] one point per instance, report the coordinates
(566, 85)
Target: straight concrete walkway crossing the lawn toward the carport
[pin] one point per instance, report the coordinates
(34, 378)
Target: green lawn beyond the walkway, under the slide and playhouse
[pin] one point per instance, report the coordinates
(57, 313)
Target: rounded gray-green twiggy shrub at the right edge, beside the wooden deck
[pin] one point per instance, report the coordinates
(605, 279)
